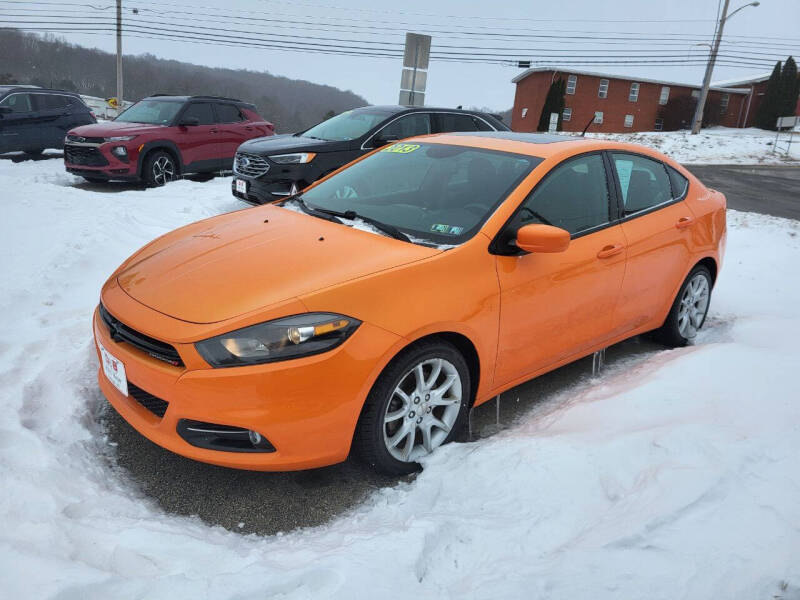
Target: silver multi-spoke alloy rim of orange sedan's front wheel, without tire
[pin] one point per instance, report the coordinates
(422, 410)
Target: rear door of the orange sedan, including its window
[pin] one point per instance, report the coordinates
(657, 225)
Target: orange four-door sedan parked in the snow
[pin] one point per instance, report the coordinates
(374, 309)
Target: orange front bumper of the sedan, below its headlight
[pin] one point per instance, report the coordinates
(307, 408)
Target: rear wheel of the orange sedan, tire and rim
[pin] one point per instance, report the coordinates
(689, 310)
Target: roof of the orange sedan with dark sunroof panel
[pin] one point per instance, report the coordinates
(542, 145)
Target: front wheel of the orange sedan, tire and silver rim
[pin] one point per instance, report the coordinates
(417, 404)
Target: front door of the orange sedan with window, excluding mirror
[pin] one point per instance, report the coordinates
(554, 306)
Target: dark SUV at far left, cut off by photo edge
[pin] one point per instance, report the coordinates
(32, 119)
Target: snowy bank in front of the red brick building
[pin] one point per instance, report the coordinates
(716, 145)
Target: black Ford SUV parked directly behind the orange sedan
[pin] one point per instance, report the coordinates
(267, 169)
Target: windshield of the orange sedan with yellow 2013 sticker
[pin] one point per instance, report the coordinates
(435, 193)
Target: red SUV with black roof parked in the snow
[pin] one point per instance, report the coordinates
(163, 137)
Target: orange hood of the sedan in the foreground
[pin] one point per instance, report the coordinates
(241, 262)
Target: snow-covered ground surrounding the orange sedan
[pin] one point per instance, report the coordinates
(673, 475)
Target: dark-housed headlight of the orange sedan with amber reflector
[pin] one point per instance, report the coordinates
(281, 339)
